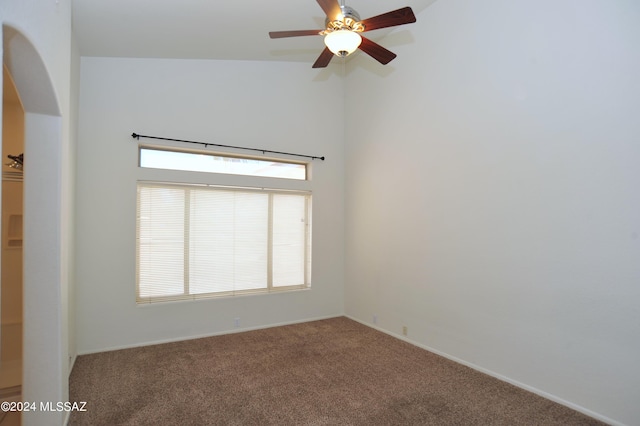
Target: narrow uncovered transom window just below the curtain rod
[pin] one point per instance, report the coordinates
(216, 163)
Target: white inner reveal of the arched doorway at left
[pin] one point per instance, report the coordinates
(45, 310)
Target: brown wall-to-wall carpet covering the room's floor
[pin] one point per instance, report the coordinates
(329, 372)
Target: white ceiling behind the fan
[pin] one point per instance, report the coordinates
(213, 29)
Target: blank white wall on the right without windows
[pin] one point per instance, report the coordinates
(493, 204)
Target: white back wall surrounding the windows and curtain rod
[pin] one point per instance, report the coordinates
(276, 106)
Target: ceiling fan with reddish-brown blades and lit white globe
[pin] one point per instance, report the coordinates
(342, 33)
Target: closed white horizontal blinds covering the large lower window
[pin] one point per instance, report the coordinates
(197, 241)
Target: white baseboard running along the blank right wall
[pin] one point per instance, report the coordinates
(498, 376)
